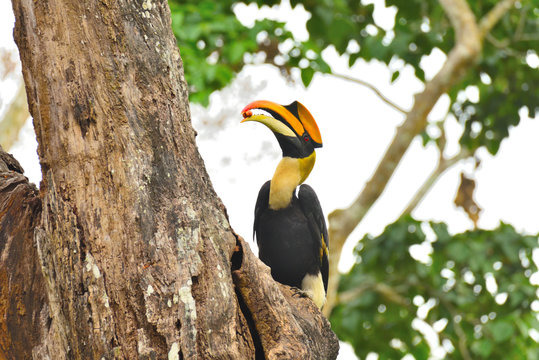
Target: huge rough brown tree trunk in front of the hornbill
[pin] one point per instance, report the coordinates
(133, 250)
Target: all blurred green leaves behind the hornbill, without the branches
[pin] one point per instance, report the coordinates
(474, 289)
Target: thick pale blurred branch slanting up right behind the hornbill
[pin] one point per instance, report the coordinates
(469, 36)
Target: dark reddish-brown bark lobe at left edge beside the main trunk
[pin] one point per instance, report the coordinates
(23, 309)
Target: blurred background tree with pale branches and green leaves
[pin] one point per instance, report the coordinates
(415, 289)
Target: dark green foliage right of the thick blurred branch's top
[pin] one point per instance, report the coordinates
(505, 80)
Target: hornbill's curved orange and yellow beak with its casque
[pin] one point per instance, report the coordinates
(289, 120)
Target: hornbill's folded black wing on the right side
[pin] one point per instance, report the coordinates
(317, 224)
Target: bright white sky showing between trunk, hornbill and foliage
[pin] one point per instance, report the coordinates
(356, 128)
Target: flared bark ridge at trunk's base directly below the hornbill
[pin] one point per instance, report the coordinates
(299, 320)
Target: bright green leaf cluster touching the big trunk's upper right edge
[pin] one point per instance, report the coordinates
(212, 43)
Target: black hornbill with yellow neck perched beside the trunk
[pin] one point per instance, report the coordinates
(289, 224)
